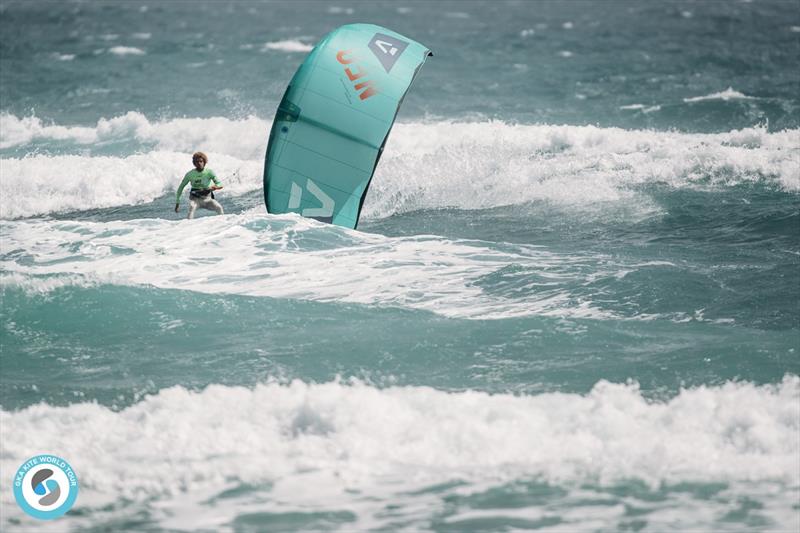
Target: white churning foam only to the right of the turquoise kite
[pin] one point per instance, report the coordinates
(481, 165)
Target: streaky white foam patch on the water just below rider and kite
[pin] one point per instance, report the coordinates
(280, 257)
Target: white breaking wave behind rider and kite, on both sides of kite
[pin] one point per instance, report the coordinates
(425, 165)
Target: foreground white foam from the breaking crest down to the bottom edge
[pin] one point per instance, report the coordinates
(179, 452)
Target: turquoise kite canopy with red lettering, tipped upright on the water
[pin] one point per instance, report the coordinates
(333, 122)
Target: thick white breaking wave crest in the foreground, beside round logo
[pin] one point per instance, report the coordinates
(611, 433)
